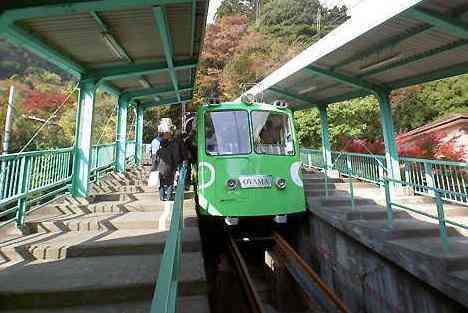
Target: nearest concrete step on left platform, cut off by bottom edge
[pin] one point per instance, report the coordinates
(192, 304)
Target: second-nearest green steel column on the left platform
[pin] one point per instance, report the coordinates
(121, 140)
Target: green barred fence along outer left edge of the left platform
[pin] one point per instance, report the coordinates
(32, 177)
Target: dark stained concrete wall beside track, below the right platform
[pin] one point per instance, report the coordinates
(366, 281)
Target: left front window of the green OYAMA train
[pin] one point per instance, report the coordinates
(227, 132)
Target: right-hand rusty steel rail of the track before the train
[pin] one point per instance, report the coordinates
(289, 251)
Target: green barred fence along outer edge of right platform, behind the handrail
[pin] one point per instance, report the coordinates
(419, 174)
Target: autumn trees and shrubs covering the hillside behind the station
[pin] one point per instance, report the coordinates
(243, 46)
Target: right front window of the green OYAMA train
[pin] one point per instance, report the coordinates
(272, 133)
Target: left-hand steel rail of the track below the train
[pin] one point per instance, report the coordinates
(252, 294)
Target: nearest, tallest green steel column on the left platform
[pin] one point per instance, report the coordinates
(83, 137)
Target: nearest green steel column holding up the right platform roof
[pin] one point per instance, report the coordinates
(391, 152)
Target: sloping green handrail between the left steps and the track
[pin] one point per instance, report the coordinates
(165, 294)
